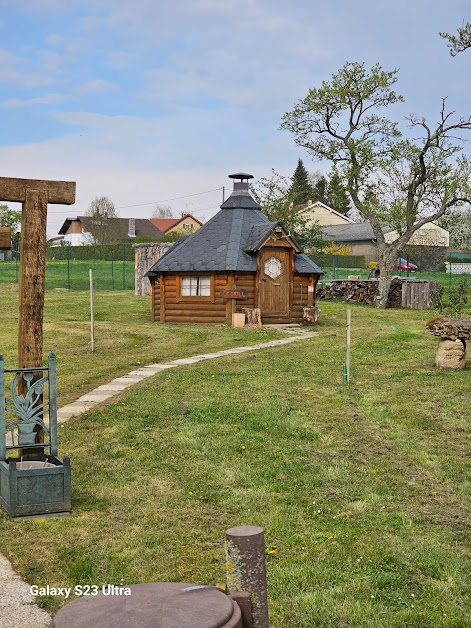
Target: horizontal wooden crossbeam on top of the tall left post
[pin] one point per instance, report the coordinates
(59, 192)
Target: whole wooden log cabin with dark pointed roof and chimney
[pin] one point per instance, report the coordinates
(237, 259)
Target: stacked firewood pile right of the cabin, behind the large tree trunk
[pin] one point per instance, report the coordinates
(362, 291)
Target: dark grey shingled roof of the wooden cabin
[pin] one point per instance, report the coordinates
(227, 242)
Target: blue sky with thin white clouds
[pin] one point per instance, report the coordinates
(155, 103)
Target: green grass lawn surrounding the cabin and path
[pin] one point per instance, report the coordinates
(364, 490)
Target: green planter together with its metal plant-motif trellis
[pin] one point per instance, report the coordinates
(36, 483)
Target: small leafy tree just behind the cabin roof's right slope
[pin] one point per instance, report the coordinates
(274, 196)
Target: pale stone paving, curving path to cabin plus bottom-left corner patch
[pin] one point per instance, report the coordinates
(17, 606)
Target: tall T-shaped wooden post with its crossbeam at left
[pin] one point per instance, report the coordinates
(35, 196)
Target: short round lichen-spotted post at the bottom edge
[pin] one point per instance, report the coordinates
(246, 569)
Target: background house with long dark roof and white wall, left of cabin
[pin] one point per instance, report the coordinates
(89, 229)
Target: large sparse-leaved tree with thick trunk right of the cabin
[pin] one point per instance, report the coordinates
(406, 182)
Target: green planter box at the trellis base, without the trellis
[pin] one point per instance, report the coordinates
(35, 489)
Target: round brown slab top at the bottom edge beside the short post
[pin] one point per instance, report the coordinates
(152, 605)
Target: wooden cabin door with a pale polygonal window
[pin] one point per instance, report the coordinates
(274, 284)
